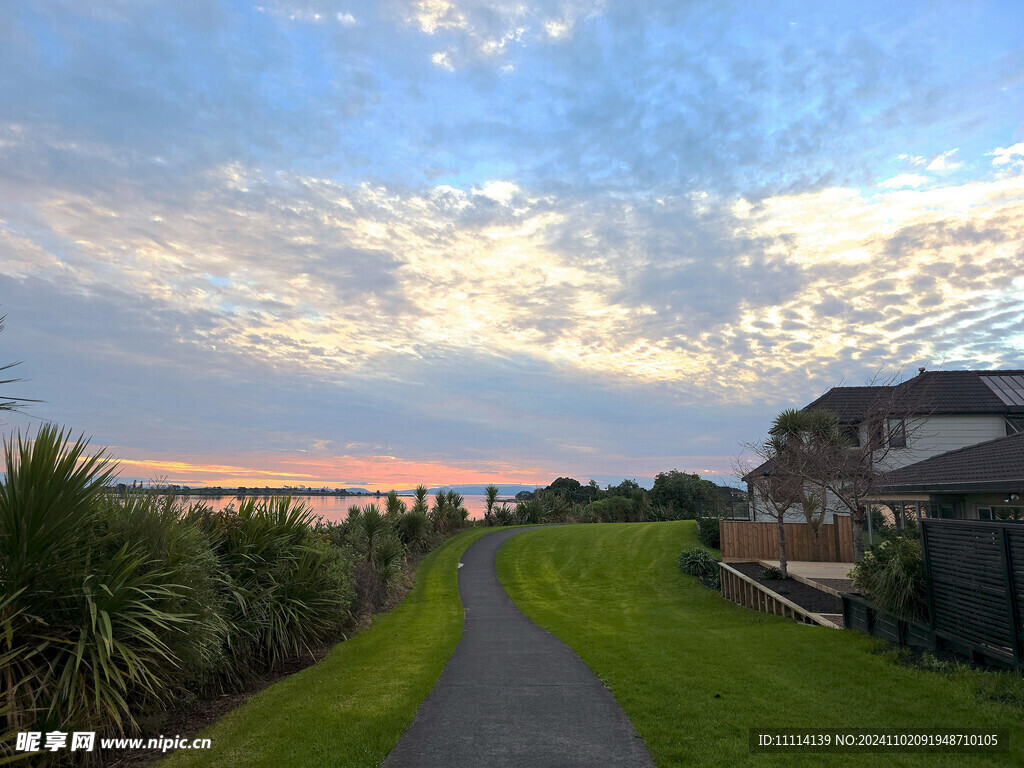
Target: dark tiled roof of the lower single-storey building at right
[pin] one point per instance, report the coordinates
(999, 461)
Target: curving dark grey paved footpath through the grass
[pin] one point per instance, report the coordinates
(513, 694)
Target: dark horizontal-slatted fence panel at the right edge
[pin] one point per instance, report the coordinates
(976, 586)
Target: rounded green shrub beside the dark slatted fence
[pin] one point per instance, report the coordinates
(892, 575)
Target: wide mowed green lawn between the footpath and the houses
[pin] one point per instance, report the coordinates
(695, 672)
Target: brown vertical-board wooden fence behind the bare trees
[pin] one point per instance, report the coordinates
(745, 542)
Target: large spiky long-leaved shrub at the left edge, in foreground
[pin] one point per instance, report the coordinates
(90, 622)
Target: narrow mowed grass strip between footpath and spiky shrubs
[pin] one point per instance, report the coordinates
(352, 708)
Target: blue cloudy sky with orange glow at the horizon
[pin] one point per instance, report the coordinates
(467, 241)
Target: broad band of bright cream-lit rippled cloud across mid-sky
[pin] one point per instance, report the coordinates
(711, 291)
